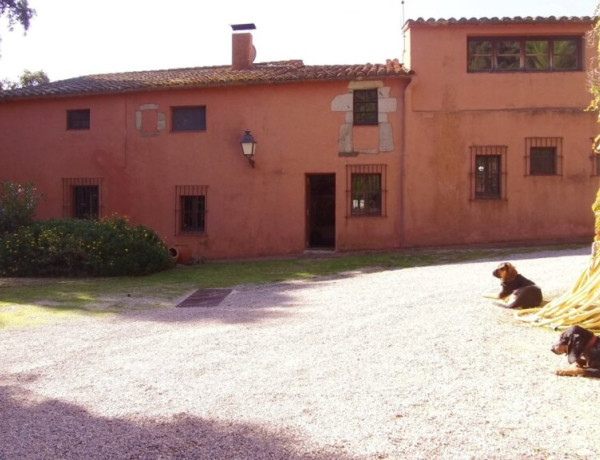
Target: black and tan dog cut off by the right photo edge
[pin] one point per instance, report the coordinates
(582, 348)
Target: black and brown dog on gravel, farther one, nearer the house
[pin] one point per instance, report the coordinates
(525, 293)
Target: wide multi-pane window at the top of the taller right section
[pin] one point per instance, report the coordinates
(528, 54)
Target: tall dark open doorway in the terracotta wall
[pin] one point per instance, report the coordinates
(320, 211)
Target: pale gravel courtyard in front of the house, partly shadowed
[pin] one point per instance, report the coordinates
(400, 364)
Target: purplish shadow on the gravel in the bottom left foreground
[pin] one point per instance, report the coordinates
(54, 429)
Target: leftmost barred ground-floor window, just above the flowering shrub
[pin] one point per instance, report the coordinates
(82, 197)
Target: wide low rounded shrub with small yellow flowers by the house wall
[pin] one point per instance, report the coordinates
(74, 247)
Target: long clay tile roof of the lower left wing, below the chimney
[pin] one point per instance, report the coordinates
(260, 73)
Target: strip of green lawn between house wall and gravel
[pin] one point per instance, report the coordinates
(27, 302)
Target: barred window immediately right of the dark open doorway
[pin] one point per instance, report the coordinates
(366, 190)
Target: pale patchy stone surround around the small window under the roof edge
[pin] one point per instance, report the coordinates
(355, 140)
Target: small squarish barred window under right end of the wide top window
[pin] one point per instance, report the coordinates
(543, 156)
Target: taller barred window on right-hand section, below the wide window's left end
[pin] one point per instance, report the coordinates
(488, 172)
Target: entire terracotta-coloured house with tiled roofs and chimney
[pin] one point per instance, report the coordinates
(479, 137)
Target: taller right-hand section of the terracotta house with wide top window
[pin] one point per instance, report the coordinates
(498, 141)
